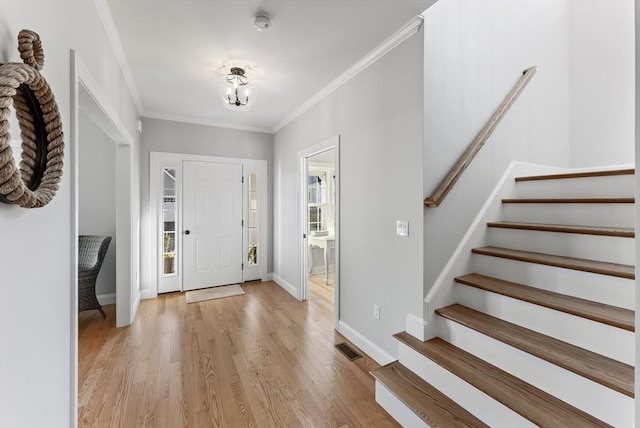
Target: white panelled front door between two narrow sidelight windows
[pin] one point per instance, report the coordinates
(212, 222)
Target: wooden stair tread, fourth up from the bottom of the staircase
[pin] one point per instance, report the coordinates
(600, 312)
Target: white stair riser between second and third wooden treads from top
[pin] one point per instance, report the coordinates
(612, 215)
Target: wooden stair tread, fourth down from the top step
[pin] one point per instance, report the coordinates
(593, 266)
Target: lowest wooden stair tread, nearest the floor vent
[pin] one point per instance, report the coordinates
(427, 402)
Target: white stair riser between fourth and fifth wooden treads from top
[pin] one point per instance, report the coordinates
(606, 289)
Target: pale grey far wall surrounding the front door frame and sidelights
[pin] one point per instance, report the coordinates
(179, 137)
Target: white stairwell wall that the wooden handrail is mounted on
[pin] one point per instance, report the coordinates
(474, 54)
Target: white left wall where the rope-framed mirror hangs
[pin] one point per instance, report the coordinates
(35, 263)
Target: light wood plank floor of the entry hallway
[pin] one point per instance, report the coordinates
(261, 360)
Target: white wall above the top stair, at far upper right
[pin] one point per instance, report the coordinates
(602, 74)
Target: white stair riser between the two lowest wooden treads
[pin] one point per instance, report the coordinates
(473, 400)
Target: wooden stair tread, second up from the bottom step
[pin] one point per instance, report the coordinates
(530, 402)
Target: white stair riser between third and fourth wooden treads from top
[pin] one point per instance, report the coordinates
(602, 248)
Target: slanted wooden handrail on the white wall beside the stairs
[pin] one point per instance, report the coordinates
(456, 171)
